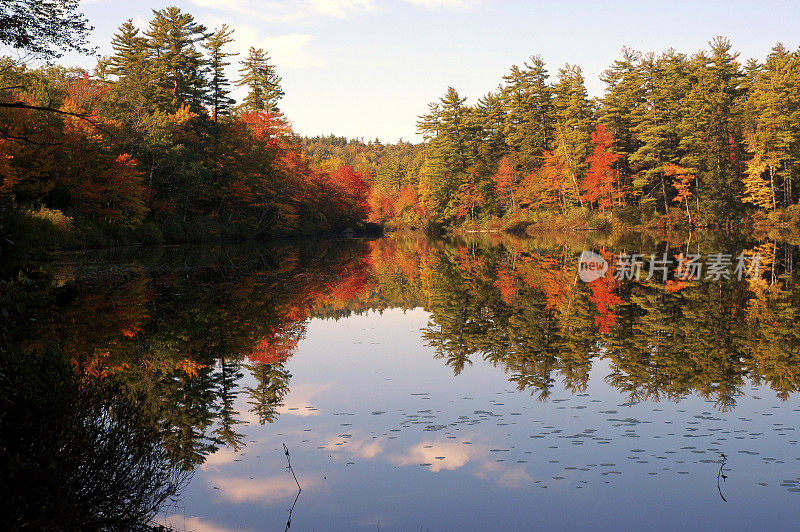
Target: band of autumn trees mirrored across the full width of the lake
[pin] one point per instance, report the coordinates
(191, 337)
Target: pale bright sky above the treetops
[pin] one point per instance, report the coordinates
(368, 68)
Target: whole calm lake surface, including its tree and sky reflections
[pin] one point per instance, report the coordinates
(450, 385)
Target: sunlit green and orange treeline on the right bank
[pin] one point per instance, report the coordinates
(675, 140)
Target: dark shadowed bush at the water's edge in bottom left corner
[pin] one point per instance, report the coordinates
(78, 452)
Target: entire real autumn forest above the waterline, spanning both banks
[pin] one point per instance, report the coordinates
(150, 147)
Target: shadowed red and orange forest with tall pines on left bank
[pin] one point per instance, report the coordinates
(150, 146)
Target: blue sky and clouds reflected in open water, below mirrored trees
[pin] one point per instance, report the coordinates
(383, 435)
